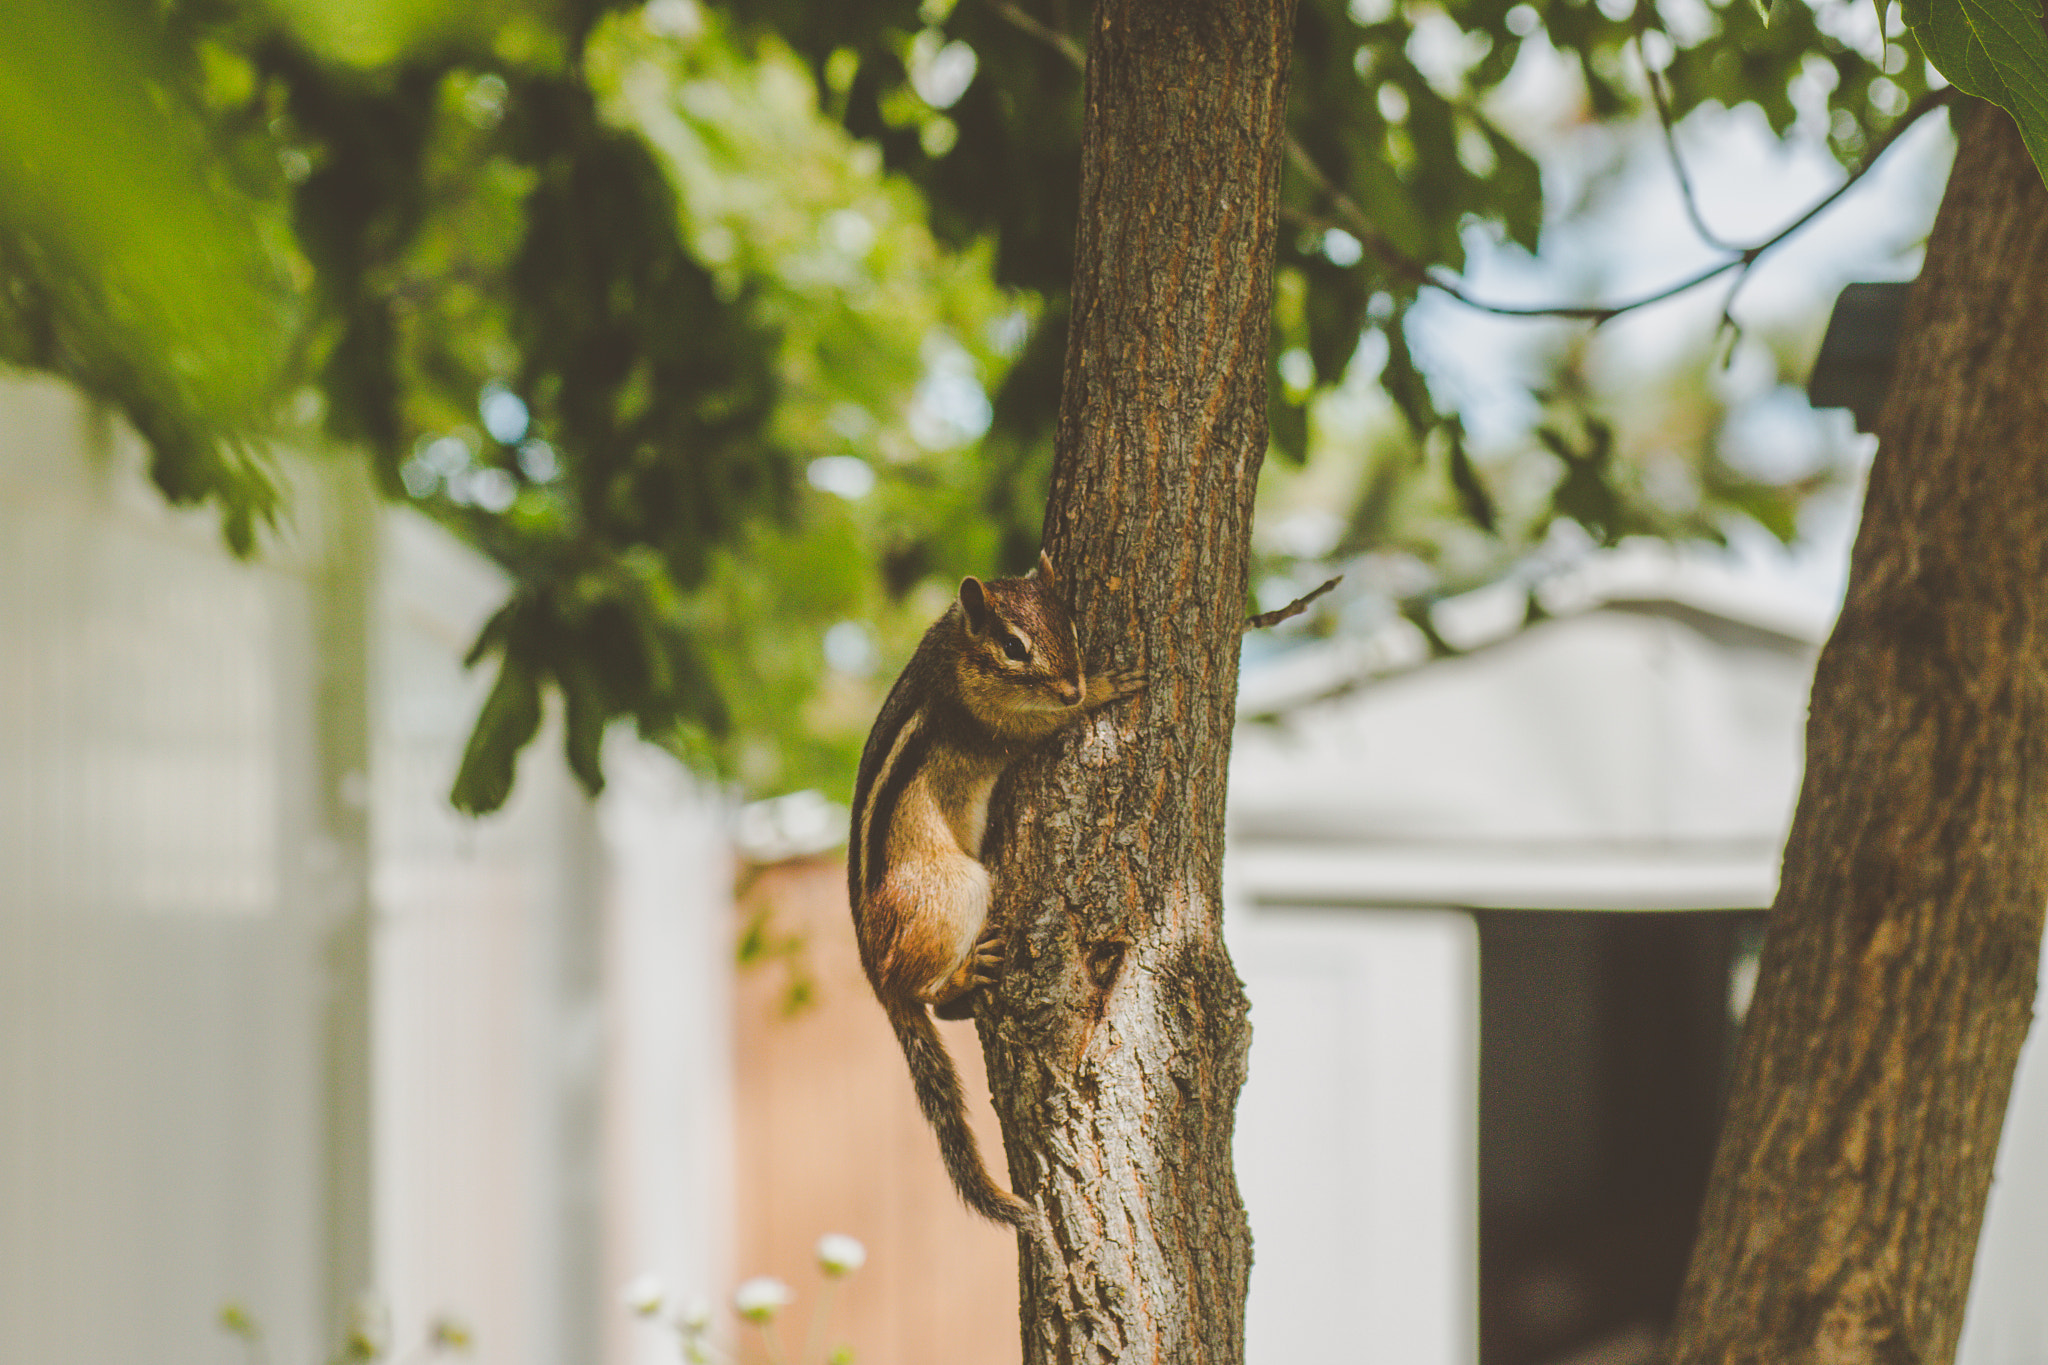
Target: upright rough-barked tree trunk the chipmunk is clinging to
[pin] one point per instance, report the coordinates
(1117, 1041)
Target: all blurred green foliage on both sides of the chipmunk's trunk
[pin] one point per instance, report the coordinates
(720, 326)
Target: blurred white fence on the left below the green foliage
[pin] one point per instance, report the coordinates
(278, 1026)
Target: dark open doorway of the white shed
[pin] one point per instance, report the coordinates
(1605, 1045)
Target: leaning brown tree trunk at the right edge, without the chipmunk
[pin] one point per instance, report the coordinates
(1902, 957)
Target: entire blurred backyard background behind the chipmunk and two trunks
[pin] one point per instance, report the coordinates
(470, 474)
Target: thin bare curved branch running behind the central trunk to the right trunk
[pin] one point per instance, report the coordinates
(1359, 224)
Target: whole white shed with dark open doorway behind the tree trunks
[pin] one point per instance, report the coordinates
(1496, 914)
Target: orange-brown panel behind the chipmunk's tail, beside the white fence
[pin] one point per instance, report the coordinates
(830, 1141)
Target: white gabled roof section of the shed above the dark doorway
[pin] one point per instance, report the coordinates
(1637, 750)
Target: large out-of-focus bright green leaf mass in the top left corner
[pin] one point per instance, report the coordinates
(134, 245)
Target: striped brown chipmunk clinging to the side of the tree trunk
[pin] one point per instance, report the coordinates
(996, 676)
